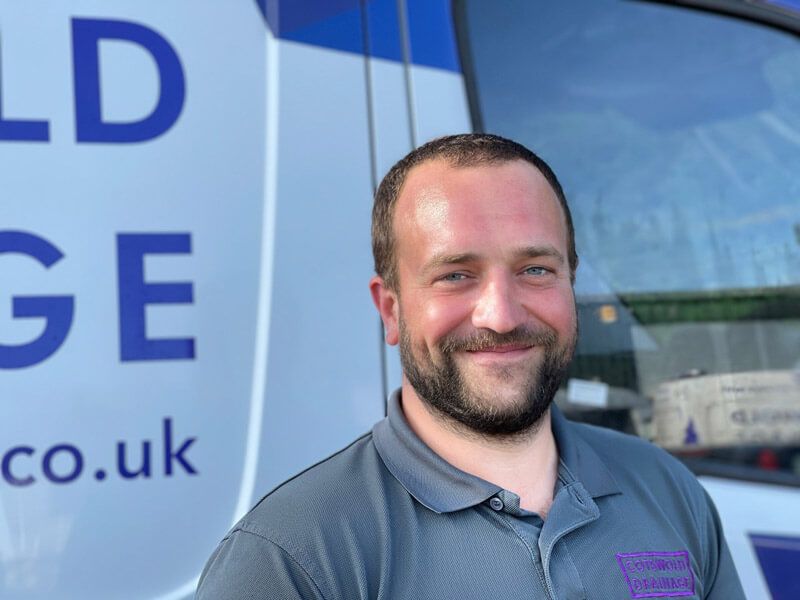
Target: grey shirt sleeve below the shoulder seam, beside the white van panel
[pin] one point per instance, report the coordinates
(248, 566)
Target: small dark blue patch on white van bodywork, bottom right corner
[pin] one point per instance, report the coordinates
(779, 557)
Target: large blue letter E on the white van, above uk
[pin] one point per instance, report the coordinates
(135, 294)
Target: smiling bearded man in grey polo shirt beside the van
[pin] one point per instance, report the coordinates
(475, 486)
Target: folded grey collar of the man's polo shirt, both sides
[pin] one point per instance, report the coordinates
(443, 488)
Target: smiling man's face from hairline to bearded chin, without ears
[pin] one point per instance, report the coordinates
(487, 322)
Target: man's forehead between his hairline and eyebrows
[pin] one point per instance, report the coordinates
(485, 202)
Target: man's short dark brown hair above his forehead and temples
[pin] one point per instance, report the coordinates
(463, 150)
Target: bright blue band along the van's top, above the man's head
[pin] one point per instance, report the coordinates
(337, 24)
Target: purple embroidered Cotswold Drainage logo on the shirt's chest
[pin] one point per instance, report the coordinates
(657, 574)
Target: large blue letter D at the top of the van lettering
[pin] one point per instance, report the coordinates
(89, 124)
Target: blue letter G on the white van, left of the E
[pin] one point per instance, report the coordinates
(57, 310)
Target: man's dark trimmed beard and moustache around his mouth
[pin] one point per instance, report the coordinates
(443, 388)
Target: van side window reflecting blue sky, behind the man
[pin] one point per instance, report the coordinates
(676, 135)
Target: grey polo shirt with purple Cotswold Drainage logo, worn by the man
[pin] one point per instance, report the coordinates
(388, 518)
